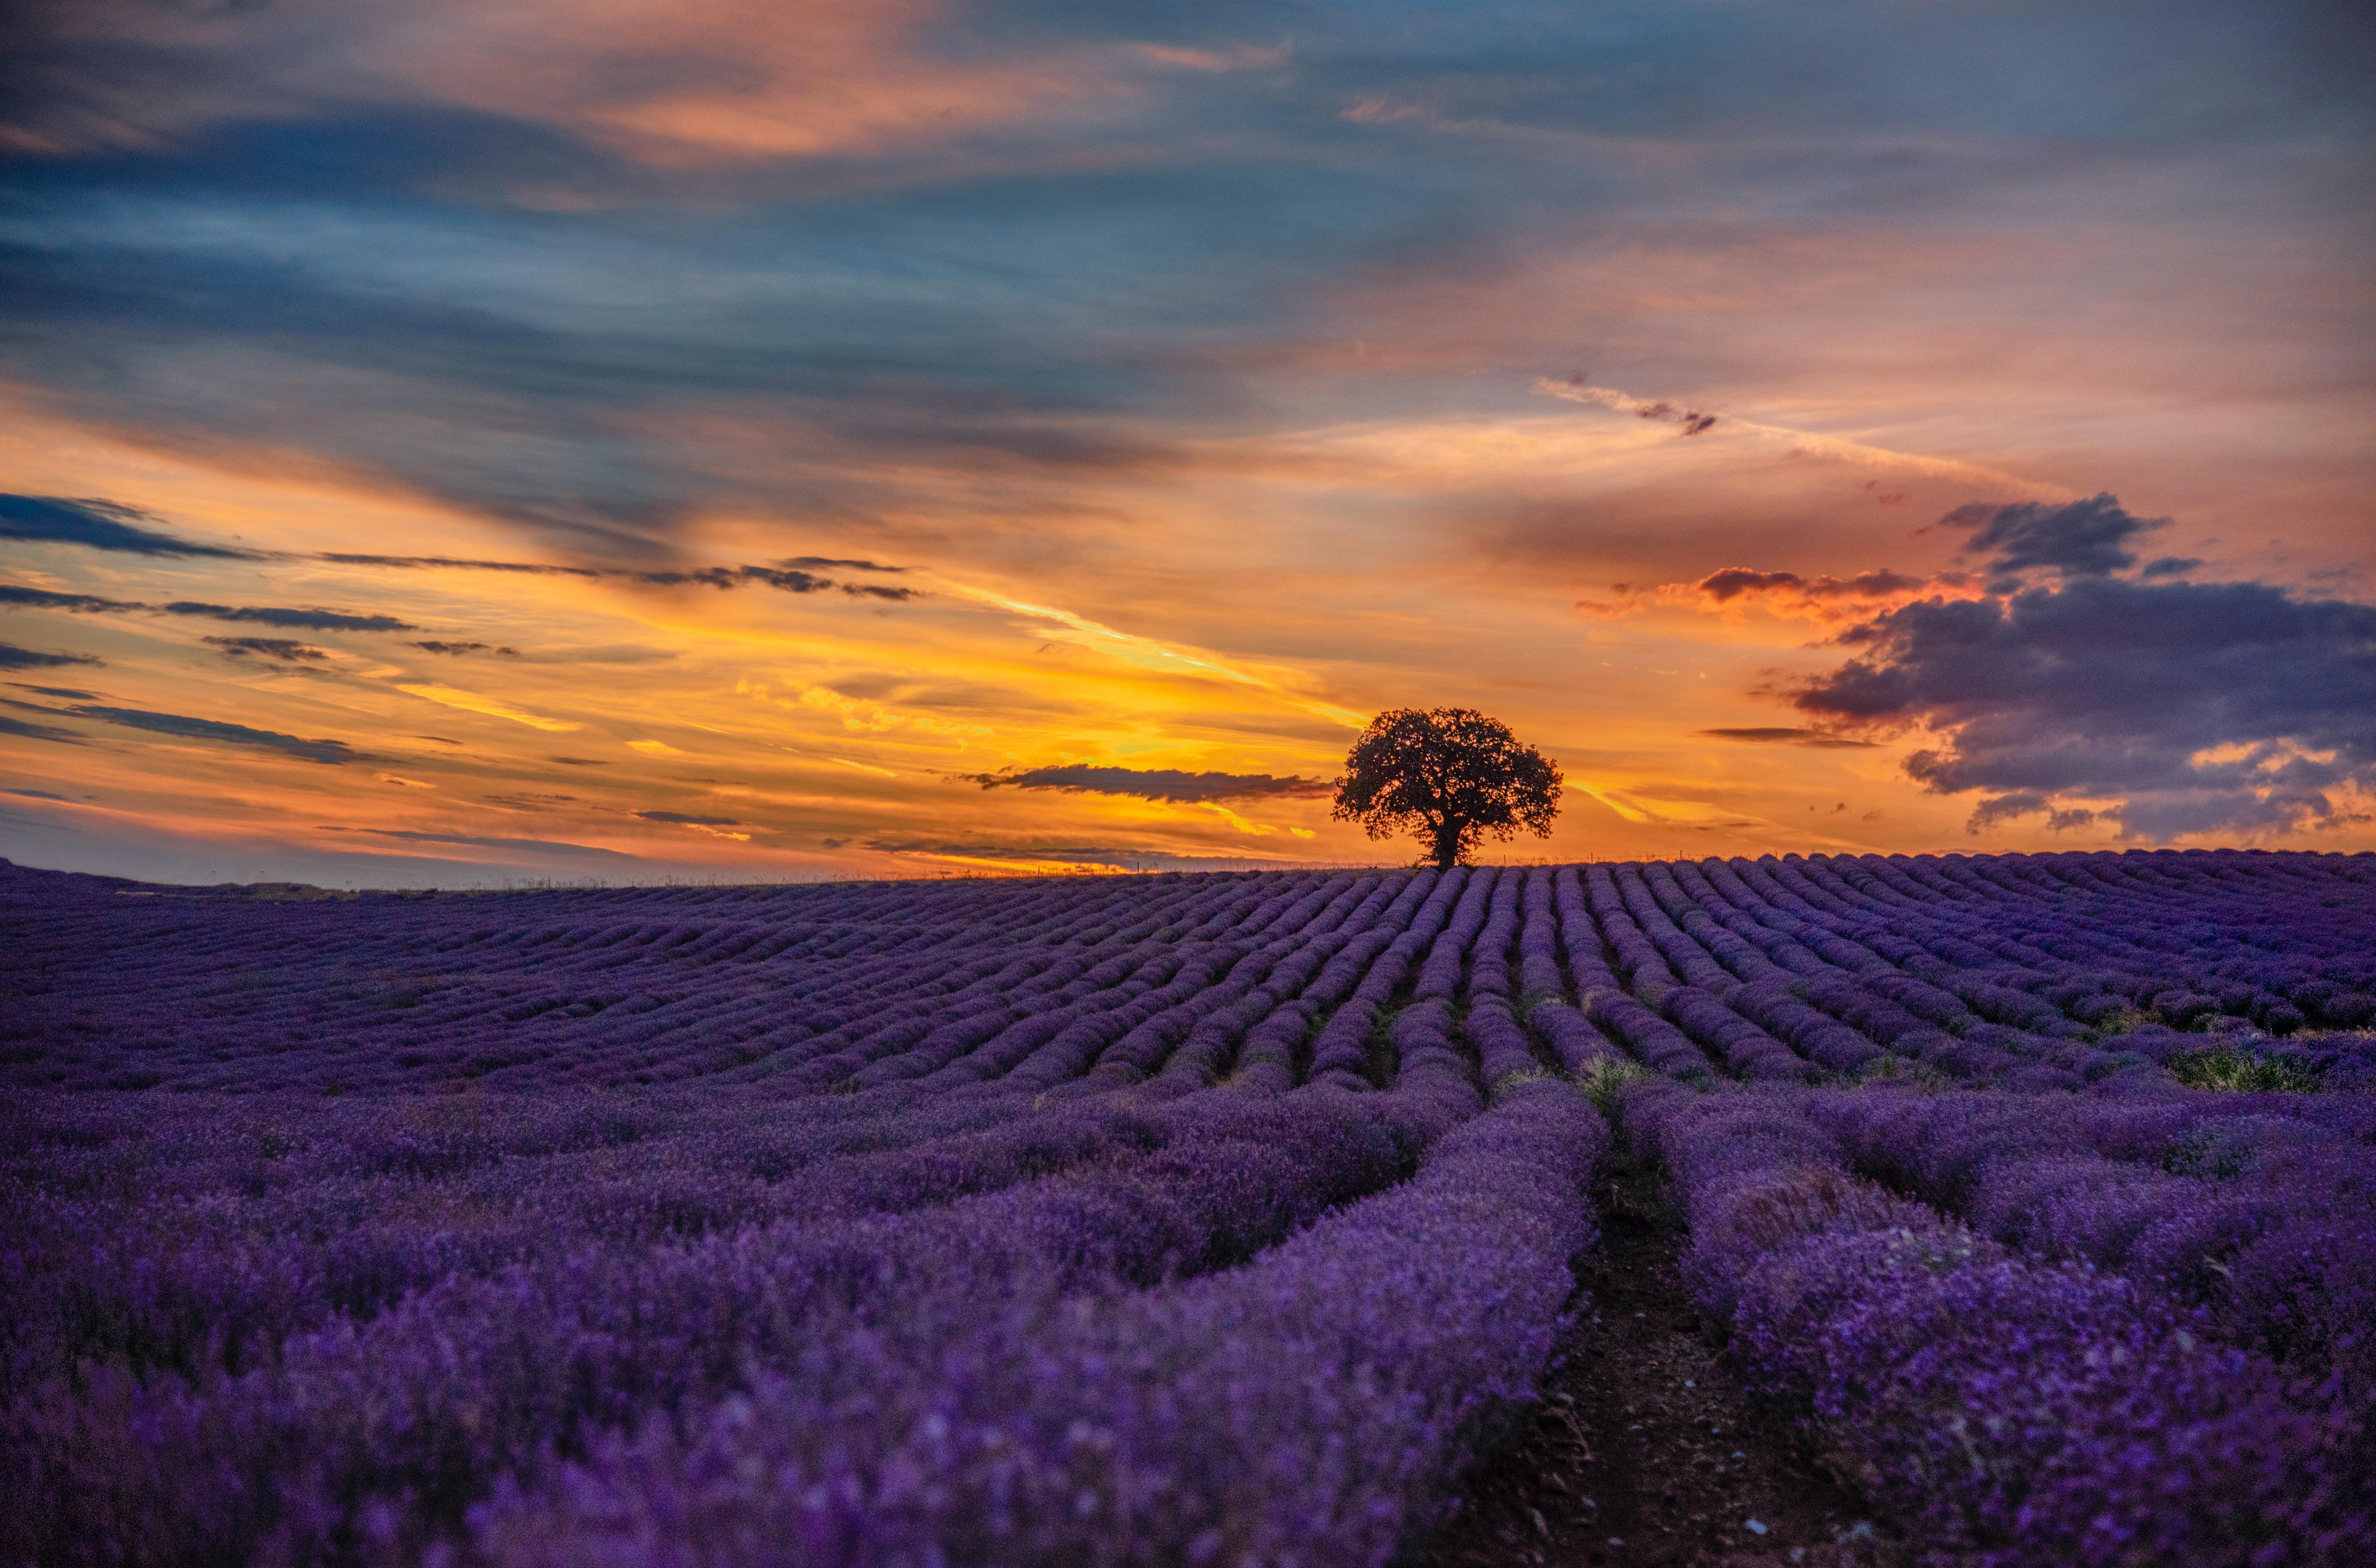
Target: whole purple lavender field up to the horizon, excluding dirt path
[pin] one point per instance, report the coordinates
(1182, 1220)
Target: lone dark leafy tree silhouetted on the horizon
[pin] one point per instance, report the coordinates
(1448, 778)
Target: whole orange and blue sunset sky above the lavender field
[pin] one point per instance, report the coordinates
(469, 443)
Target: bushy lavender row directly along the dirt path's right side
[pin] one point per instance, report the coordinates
(2011, 1410)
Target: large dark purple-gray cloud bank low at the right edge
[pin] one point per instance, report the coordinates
(2197, 707)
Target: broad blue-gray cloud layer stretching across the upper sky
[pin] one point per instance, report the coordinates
(1028, 298)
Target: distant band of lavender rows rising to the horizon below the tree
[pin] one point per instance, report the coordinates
(2028, 970)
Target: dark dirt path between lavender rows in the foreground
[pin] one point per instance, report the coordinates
(1645, 1450)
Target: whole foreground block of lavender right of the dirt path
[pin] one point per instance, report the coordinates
(2054, 1329)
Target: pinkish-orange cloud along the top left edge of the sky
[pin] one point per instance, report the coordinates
(674, 87)
